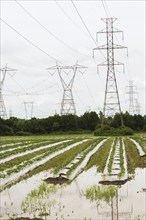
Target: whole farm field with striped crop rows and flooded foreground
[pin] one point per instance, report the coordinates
(73, 177)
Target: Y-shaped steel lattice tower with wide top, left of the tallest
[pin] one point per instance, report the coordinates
(67, 76)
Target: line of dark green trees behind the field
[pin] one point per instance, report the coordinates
(88, 122)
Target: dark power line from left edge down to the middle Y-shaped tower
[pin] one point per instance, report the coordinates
(30, 42)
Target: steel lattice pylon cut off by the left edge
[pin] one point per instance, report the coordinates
(3, 72)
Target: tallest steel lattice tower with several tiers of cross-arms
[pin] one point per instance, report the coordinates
(111, 100)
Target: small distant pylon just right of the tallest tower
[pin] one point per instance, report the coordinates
(131, 91)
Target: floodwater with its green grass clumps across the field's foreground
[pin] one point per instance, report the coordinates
(71, 201)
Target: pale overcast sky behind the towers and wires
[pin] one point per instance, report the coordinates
(61, 36)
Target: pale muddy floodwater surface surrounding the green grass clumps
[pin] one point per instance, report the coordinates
(71, 202)
